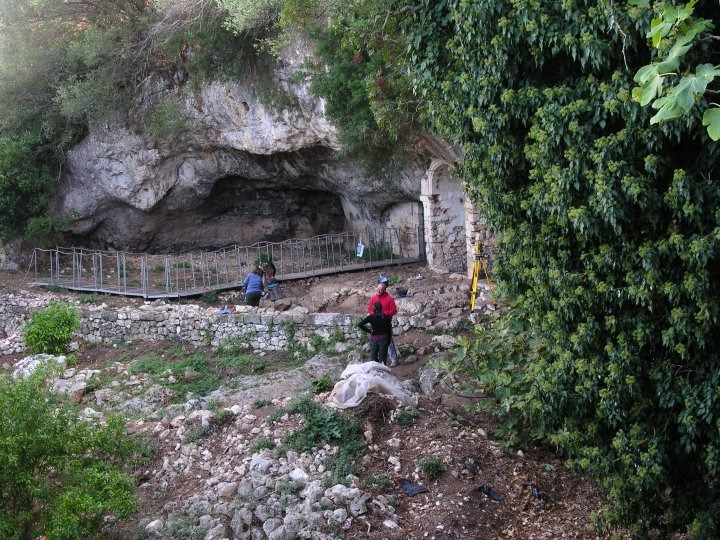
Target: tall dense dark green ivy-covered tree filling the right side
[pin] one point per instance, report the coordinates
(608, 237)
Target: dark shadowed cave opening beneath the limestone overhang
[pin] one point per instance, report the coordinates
(242, 211)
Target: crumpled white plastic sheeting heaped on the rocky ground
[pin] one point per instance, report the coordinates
(359, 379)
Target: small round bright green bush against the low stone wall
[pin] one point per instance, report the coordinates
(51, 329)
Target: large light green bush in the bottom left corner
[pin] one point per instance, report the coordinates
(59, 475)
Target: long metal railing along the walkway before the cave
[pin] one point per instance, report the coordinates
(156, 276)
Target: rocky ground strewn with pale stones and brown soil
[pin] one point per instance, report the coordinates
(223, 465)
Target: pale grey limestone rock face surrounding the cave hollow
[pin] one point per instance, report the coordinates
(244, 171)
